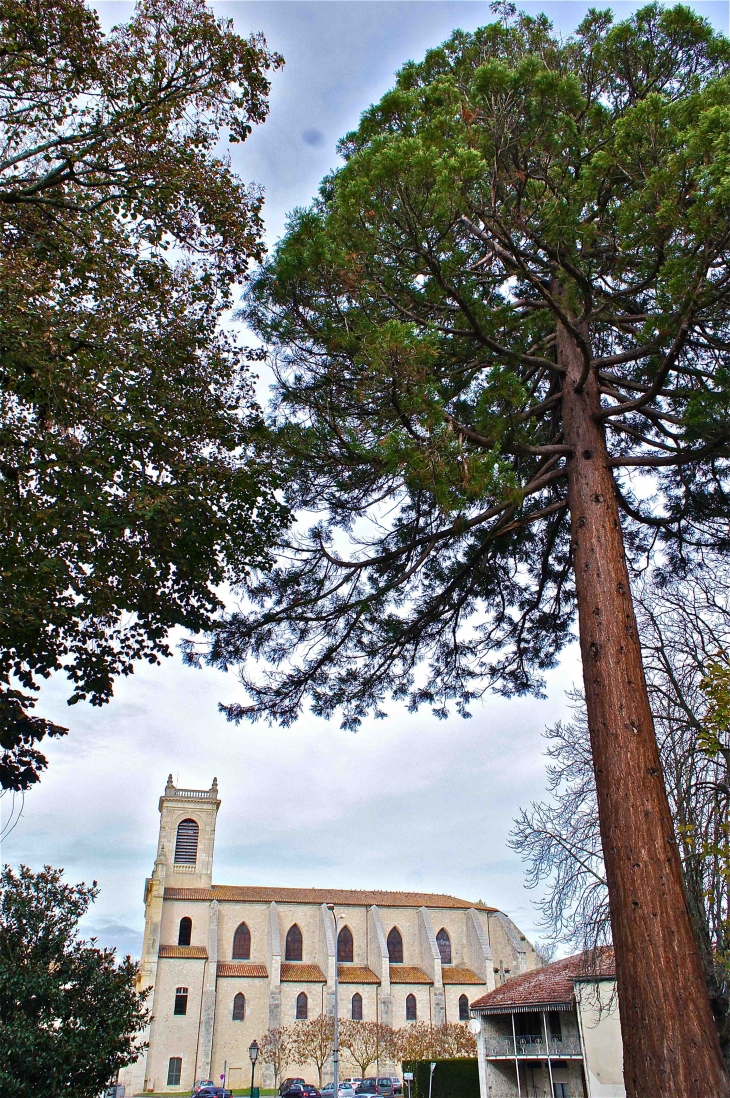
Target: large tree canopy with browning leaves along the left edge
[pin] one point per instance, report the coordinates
(129, 485)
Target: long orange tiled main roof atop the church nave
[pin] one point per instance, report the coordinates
(257, 894)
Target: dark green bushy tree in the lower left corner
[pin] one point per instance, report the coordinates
(70, 1013)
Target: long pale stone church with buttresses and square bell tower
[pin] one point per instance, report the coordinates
(229, 962)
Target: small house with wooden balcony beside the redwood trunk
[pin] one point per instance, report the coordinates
(553, 1034)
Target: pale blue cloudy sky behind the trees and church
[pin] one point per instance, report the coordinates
(409, 803)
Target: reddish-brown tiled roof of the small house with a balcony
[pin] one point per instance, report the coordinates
(551, 987)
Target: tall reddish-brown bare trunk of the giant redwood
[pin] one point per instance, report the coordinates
(671, 1049)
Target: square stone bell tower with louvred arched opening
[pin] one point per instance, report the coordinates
(187, 835)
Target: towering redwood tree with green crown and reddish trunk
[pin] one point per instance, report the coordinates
(501, 337)
